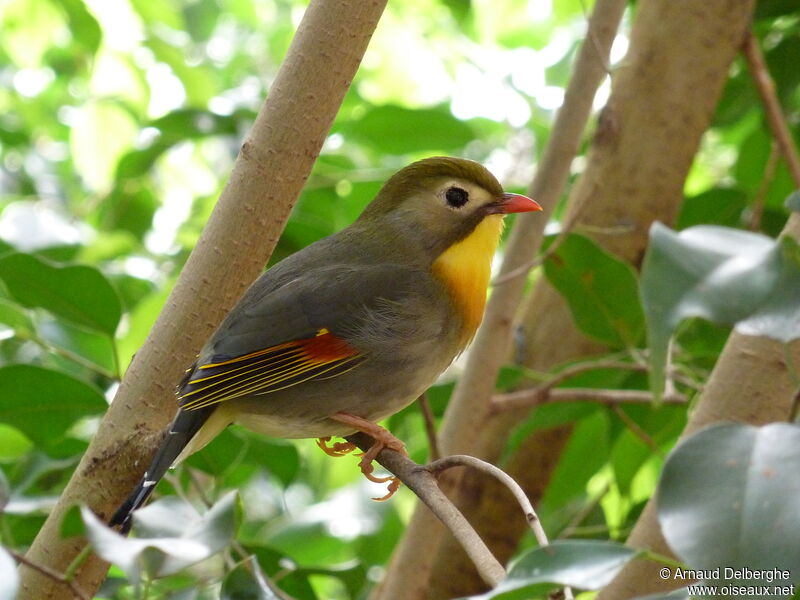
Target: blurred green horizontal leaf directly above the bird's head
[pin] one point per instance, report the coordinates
(396, 130)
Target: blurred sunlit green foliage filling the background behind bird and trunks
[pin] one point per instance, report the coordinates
(119, 122)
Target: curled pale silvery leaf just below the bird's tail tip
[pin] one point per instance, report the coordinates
(192, 538)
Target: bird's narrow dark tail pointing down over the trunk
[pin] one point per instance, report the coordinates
(181, 431)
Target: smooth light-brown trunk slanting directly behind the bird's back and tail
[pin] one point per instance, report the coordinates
(273, 164)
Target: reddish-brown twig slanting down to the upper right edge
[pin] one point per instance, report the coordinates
(775, 117)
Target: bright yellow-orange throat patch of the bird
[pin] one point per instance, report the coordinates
(465, 268)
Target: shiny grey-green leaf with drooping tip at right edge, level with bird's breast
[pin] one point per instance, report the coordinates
(724, 275)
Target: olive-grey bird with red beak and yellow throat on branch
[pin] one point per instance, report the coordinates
(352, 328)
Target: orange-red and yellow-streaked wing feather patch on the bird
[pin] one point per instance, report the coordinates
(268, 370)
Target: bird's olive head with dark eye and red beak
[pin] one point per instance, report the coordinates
(440, 201)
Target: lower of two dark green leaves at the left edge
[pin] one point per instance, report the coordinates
(43, 404)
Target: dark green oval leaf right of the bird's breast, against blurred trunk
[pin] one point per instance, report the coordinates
(600, 289)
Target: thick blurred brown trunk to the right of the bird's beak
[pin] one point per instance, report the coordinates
(663, 98)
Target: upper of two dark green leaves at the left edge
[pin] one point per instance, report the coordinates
(77, 293)
